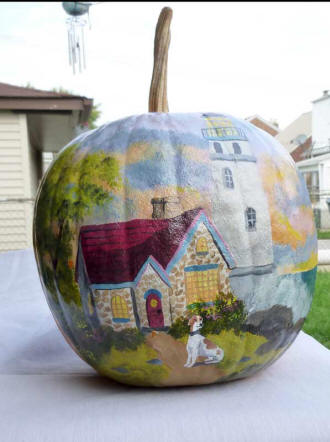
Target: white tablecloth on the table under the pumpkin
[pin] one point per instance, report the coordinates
(48, 394)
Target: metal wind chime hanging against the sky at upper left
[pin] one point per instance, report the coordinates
(76, 23)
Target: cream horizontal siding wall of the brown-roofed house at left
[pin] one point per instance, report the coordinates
(15, 183)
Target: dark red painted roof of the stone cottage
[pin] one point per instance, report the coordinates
(114, 253)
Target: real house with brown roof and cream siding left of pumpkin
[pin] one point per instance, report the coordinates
(32, 123)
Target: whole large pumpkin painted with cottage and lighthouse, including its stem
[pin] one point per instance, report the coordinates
(176, 249)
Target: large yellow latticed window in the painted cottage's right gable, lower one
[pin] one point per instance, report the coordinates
(201, 283)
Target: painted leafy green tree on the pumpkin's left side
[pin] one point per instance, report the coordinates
(72, 188)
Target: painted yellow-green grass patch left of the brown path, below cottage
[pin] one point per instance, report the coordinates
(139, 371)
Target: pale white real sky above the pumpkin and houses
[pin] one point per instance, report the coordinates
(268, 58)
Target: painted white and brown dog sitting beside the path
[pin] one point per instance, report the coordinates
(198, 345)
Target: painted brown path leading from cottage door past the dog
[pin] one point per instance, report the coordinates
(174, 354)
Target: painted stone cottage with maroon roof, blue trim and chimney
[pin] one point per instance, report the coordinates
(146, 272)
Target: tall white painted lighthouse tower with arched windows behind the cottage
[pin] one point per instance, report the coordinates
(239, 204)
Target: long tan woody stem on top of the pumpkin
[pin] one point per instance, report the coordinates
(158, 88)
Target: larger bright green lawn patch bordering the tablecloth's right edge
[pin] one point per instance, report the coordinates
(317, 323)
